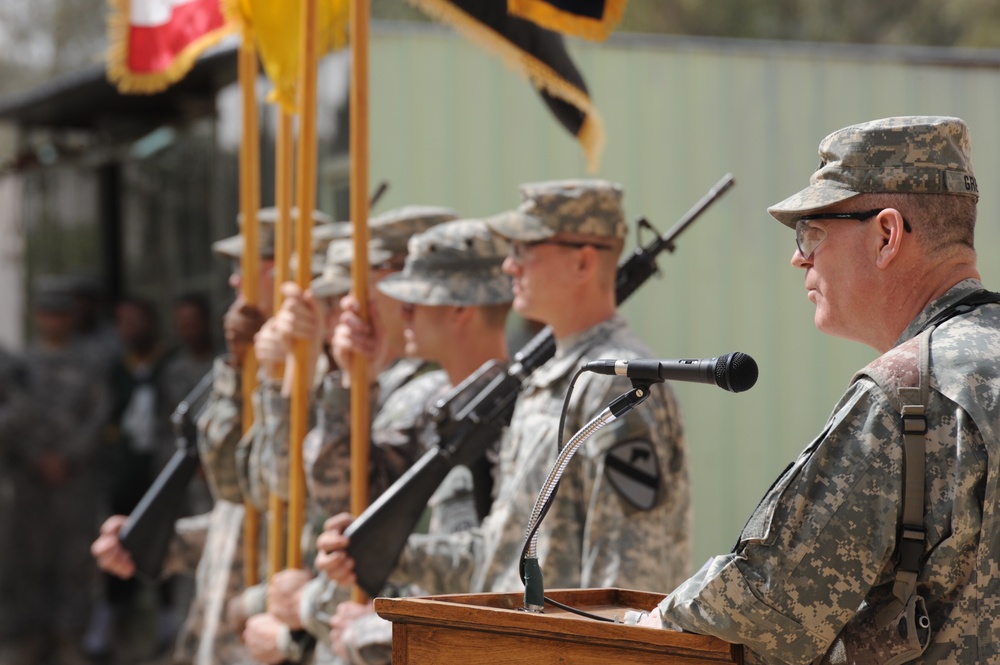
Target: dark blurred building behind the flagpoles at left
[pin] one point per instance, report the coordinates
(132, 189)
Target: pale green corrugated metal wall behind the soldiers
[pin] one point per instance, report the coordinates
(451, 125)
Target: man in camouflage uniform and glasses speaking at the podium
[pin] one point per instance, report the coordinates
(881, 540)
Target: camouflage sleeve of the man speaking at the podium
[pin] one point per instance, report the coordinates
(818, 542)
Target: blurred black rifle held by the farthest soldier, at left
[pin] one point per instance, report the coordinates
(147, 532)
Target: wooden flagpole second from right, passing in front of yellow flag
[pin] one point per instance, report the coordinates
(306, 187)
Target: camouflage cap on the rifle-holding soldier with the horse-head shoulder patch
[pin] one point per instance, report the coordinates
(584, 207)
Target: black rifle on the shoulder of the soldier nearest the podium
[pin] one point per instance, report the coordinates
(471, 417)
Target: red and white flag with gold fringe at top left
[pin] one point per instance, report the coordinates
(154, 43)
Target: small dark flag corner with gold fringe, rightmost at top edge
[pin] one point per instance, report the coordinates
(590, 19)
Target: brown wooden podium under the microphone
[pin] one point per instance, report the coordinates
(476, 629)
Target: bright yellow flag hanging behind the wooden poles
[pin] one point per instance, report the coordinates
(274, 26)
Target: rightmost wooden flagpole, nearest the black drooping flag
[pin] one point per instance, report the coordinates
(360, 407)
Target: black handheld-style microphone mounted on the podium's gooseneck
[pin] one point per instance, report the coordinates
(734, 372)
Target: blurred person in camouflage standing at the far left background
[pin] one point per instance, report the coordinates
(56, 477)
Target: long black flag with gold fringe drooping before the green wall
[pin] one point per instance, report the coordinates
(534, 52)
